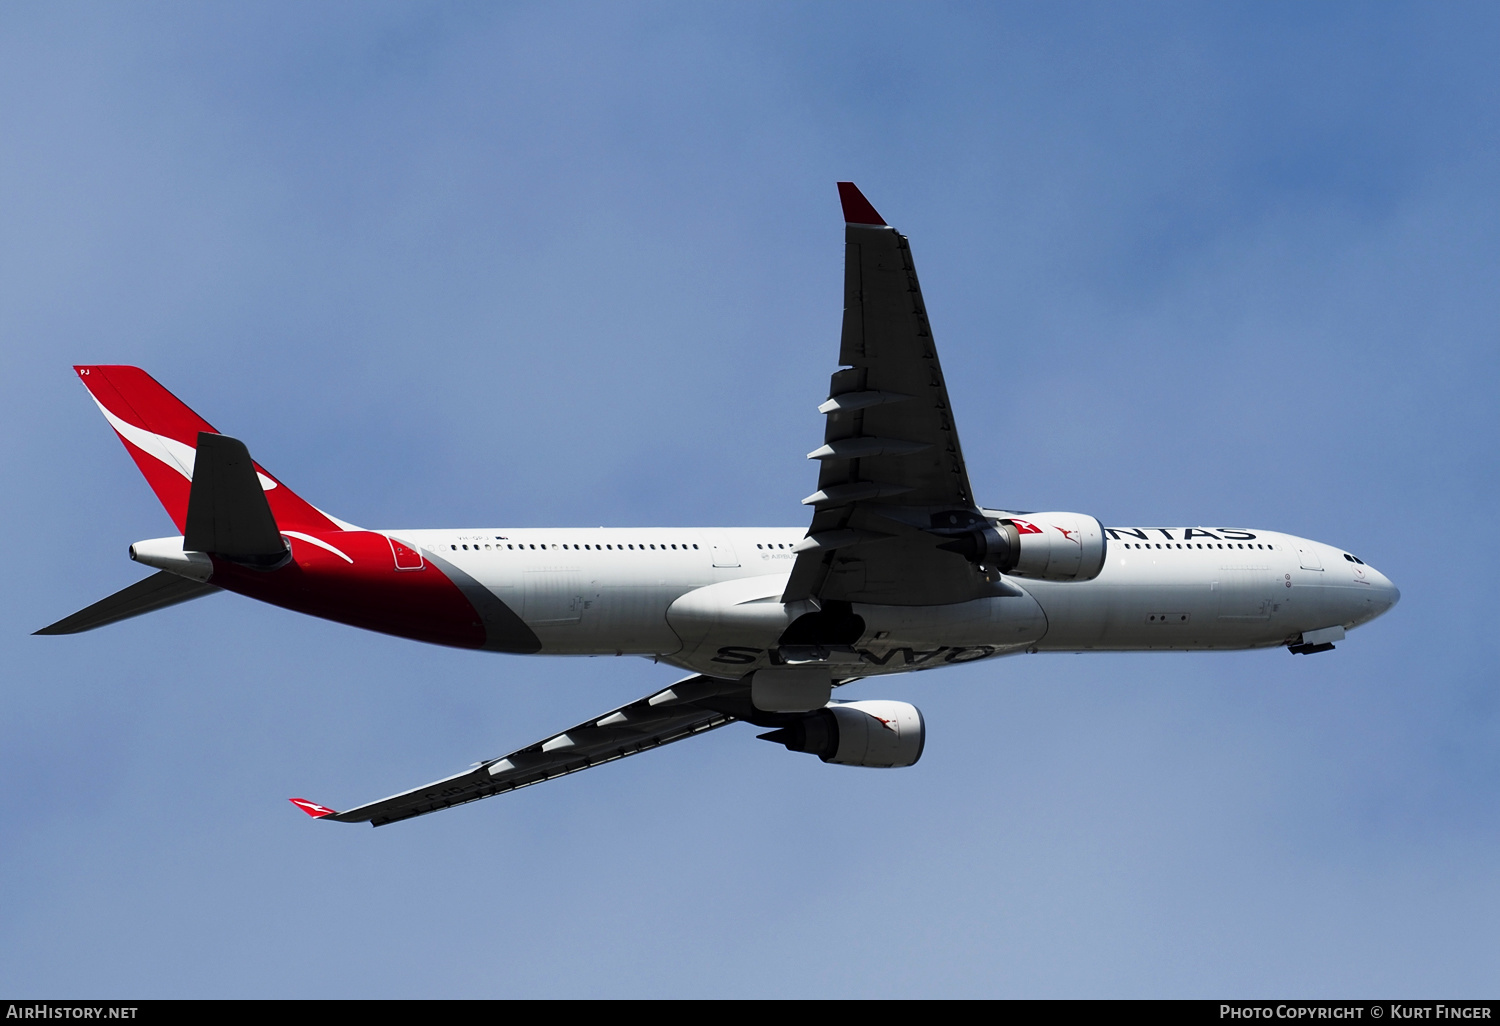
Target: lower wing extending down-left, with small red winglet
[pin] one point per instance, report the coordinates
(689, 707)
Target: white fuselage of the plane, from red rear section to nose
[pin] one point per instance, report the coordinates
(709, 601)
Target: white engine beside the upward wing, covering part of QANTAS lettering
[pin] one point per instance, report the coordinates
(1051, 547)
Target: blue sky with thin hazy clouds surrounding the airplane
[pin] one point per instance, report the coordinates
(544, 265)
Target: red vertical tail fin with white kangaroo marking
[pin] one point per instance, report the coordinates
(161, 434)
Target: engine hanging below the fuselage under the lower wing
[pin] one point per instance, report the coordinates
(859, 734)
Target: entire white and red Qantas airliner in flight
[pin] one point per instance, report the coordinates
(901, 569)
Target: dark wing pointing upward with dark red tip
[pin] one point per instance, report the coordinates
(892, 467)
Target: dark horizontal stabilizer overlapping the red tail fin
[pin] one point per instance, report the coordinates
(227, 509)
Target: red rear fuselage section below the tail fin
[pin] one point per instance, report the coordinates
(370, 593)
